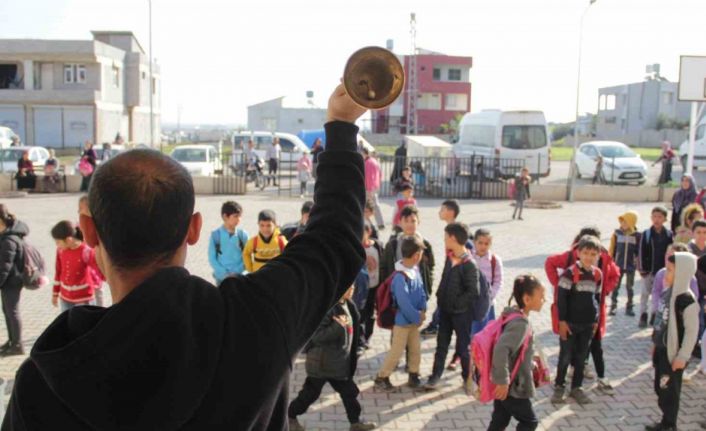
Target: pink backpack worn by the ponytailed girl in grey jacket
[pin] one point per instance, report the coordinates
(482, 347)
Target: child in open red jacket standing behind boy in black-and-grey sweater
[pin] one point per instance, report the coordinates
(557, 264)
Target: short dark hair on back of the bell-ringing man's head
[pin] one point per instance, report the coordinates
(141, 202)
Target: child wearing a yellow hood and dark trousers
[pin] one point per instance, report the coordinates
(623, 250)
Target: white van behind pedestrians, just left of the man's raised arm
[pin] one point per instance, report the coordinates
(292, 147)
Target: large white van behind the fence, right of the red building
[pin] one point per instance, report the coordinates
(521, 137)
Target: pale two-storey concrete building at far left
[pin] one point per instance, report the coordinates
(60, 93)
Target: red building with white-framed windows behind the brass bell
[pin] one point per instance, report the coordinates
(443, 90)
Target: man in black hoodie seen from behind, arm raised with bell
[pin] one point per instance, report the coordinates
(173, 352)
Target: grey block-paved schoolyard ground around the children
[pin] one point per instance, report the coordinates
(523, 245)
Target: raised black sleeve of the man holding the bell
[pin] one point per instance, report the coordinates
(297, 289)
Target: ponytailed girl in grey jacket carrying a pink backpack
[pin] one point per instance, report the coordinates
(515, 348)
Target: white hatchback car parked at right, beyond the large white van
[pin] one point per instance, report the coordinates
(621, 165)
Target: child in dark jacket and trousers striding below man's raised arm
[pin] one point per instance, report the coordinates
(331, 358)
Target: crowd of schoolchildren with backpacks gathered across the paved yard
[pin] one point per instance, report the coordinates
(583, 278)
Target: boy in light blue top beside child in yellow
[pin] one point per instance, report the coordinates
(226, 245)
